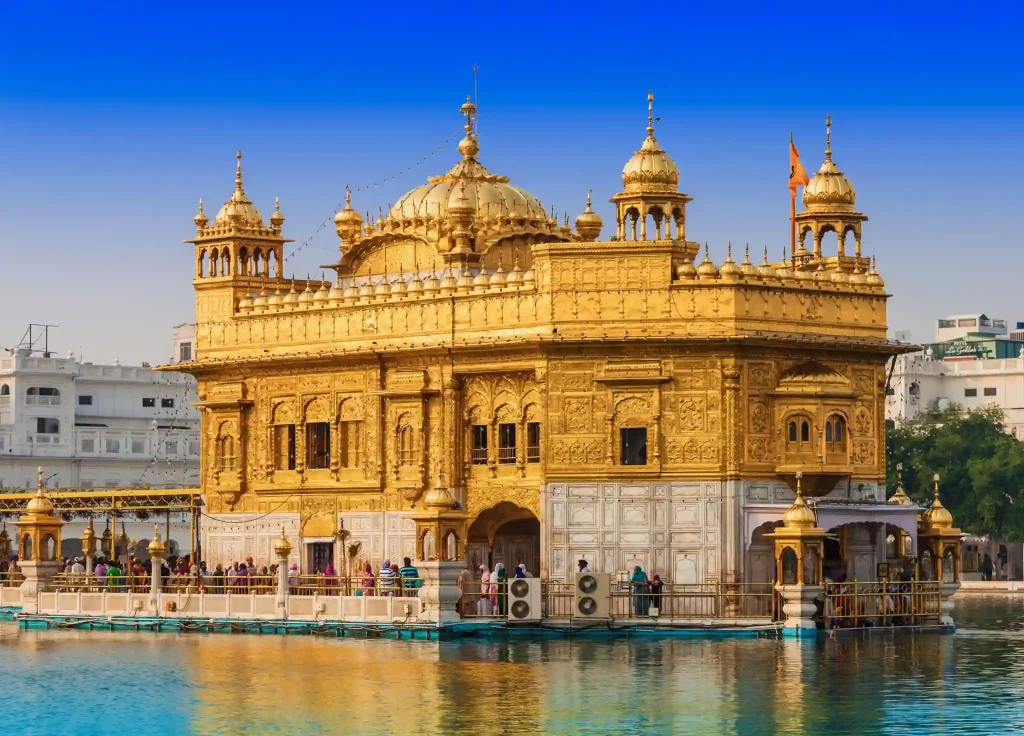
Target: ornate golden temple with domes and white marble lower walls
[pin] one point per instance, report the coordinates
(482, 382)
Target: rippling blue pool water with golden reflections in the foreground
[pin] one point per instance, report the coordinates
(95, 683)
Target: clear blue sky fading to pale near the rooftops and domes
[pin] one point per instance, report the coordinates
(116, 118)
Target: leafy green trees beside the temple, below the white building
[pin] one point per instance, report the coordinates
(982, 467)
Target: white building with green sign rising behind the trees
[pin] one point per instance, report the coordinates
(975, 362)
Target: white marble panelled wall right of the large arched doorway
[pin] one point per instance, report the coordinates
(671, 530)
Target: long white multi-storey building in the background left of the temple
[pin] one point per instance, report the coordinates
(93, 426)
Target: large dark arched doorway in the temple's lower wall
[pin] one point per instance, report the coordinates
(506, 534)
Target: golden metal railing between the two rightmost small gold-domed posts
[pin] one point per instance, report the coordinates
(881, 603)
